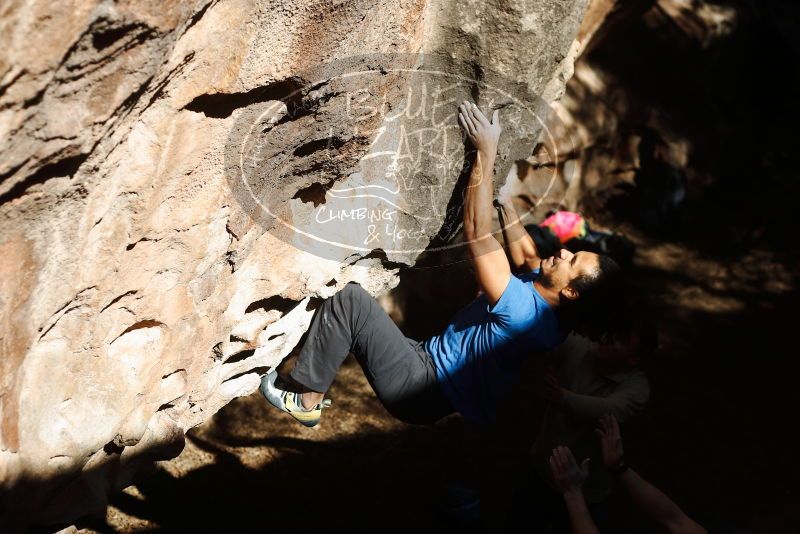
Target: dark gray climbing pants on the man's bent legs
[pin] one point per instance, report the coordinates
(397, 367)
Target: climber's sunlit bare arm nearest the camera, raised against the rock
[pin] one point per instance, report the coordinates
(491, 265)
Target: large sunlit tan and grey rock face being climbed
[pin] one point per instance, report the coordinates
(169, 174)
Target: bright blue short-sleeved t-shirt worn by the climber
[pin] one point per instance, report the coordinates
(478, 354)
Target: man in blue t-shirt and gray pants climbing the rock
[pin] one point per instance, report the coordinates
(470, 365)
